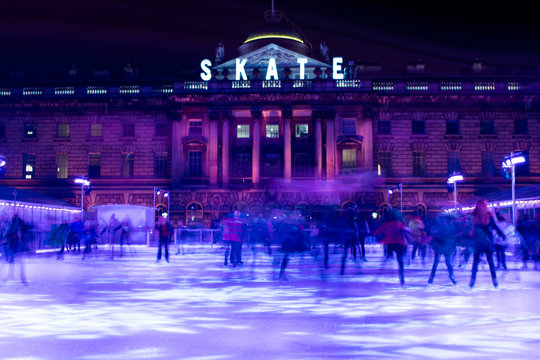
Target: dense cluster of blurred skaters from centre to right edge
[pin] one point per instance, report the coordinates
(485, 235)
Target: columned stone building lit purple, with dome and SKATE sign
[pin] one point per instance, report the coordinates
(272, 135)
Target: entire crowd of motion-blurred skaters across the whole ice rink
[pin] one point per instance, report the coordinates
(486, 234)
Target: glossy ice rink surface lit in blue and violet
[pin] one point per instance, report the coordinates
(193, 308)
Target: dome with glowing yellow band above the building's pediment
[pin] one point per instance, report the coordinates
(278, 30)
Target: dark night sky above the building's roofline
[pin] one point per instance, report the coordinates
(164, 37)
